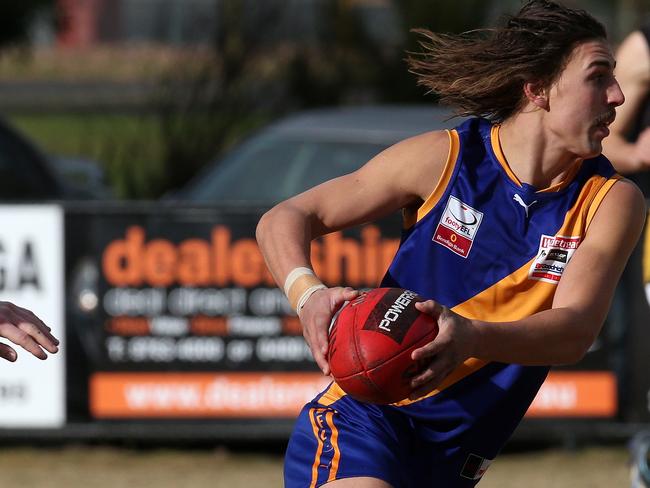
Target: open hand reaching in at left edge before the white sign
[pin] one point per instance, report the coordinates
(26, 330)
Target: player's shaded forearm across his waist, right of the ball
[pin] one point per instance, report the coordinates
(552, 337)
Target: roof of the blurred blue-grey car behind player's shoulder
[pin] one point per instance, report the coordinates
(376, 123)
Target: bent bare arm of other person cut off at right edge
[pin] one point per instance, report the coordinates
(633, 75)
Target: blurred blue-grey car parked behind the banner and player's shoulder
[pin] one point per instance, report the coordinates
(307, 148)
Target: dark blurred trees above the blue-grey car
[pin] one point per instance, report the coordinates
(254, 75)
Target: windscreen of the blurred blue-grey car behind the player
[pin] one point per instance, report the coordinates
(271, 169)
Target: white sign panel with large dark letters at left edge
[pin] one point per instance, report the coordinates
(32, 391)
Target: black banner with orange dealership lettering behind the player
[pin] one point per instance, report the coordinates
(178, 318)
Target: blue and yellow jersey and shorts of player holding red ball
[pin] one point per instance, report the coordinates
(490, 248)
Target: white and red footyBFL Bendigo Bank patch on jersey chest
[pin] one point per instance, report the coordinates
(458, 226)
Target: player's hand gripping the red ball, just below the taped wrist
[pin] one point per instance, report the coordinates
(316, 316)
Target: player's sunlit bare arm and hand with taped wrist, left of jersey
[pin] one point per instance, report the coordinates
(390, 181)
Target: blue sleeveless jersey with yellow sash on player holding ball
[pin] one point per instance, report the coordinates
(490, 248)
